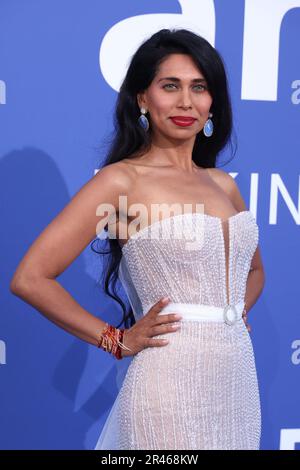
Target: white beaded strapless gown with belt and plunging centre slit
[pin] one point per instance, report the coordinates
(201, 390)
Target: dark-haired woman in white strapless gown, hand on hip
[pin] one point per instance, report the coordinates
(191, 384)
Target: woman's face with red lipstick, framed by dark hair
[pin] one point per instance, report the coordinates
(188, 96)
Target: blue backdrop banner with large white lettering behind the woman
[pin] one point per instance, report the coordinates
(61, 66)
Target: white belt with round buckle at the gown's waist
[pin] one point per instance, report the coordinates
(200, 312)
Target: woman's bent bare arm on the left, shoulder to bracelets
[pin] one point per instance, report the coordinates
(59, 245)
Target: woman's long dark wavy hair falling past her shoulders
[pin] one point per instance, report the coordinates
(129, 140)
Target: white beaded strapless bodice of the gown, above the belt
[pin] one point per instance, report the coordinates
(200, 270)
